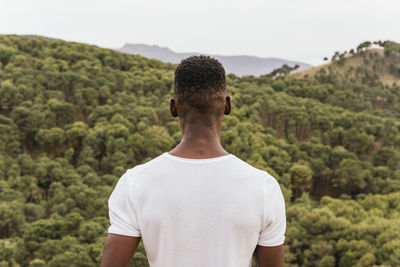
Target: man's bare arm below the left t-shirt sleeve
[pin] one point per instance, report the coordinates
(119, 250)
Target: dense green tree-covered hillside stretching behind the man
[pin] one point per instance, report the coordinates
(74, 117)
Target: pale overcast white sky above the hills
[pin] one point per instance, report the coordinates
(304, 30)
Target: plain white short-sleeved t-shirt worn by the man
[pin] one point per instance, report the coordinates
(198, 212)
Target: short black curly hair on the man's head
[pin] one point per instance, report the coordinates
(198, 80)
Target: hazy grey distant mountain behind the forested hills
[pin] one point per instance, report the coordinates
(239, 65)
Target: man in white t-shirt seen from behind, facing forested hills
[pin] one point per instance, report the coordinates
(197, 205)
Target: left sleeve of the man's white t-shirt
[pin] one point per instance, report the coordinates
(121, 209)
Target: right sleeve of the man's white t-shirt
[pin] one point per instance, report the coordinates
(274, 228)
